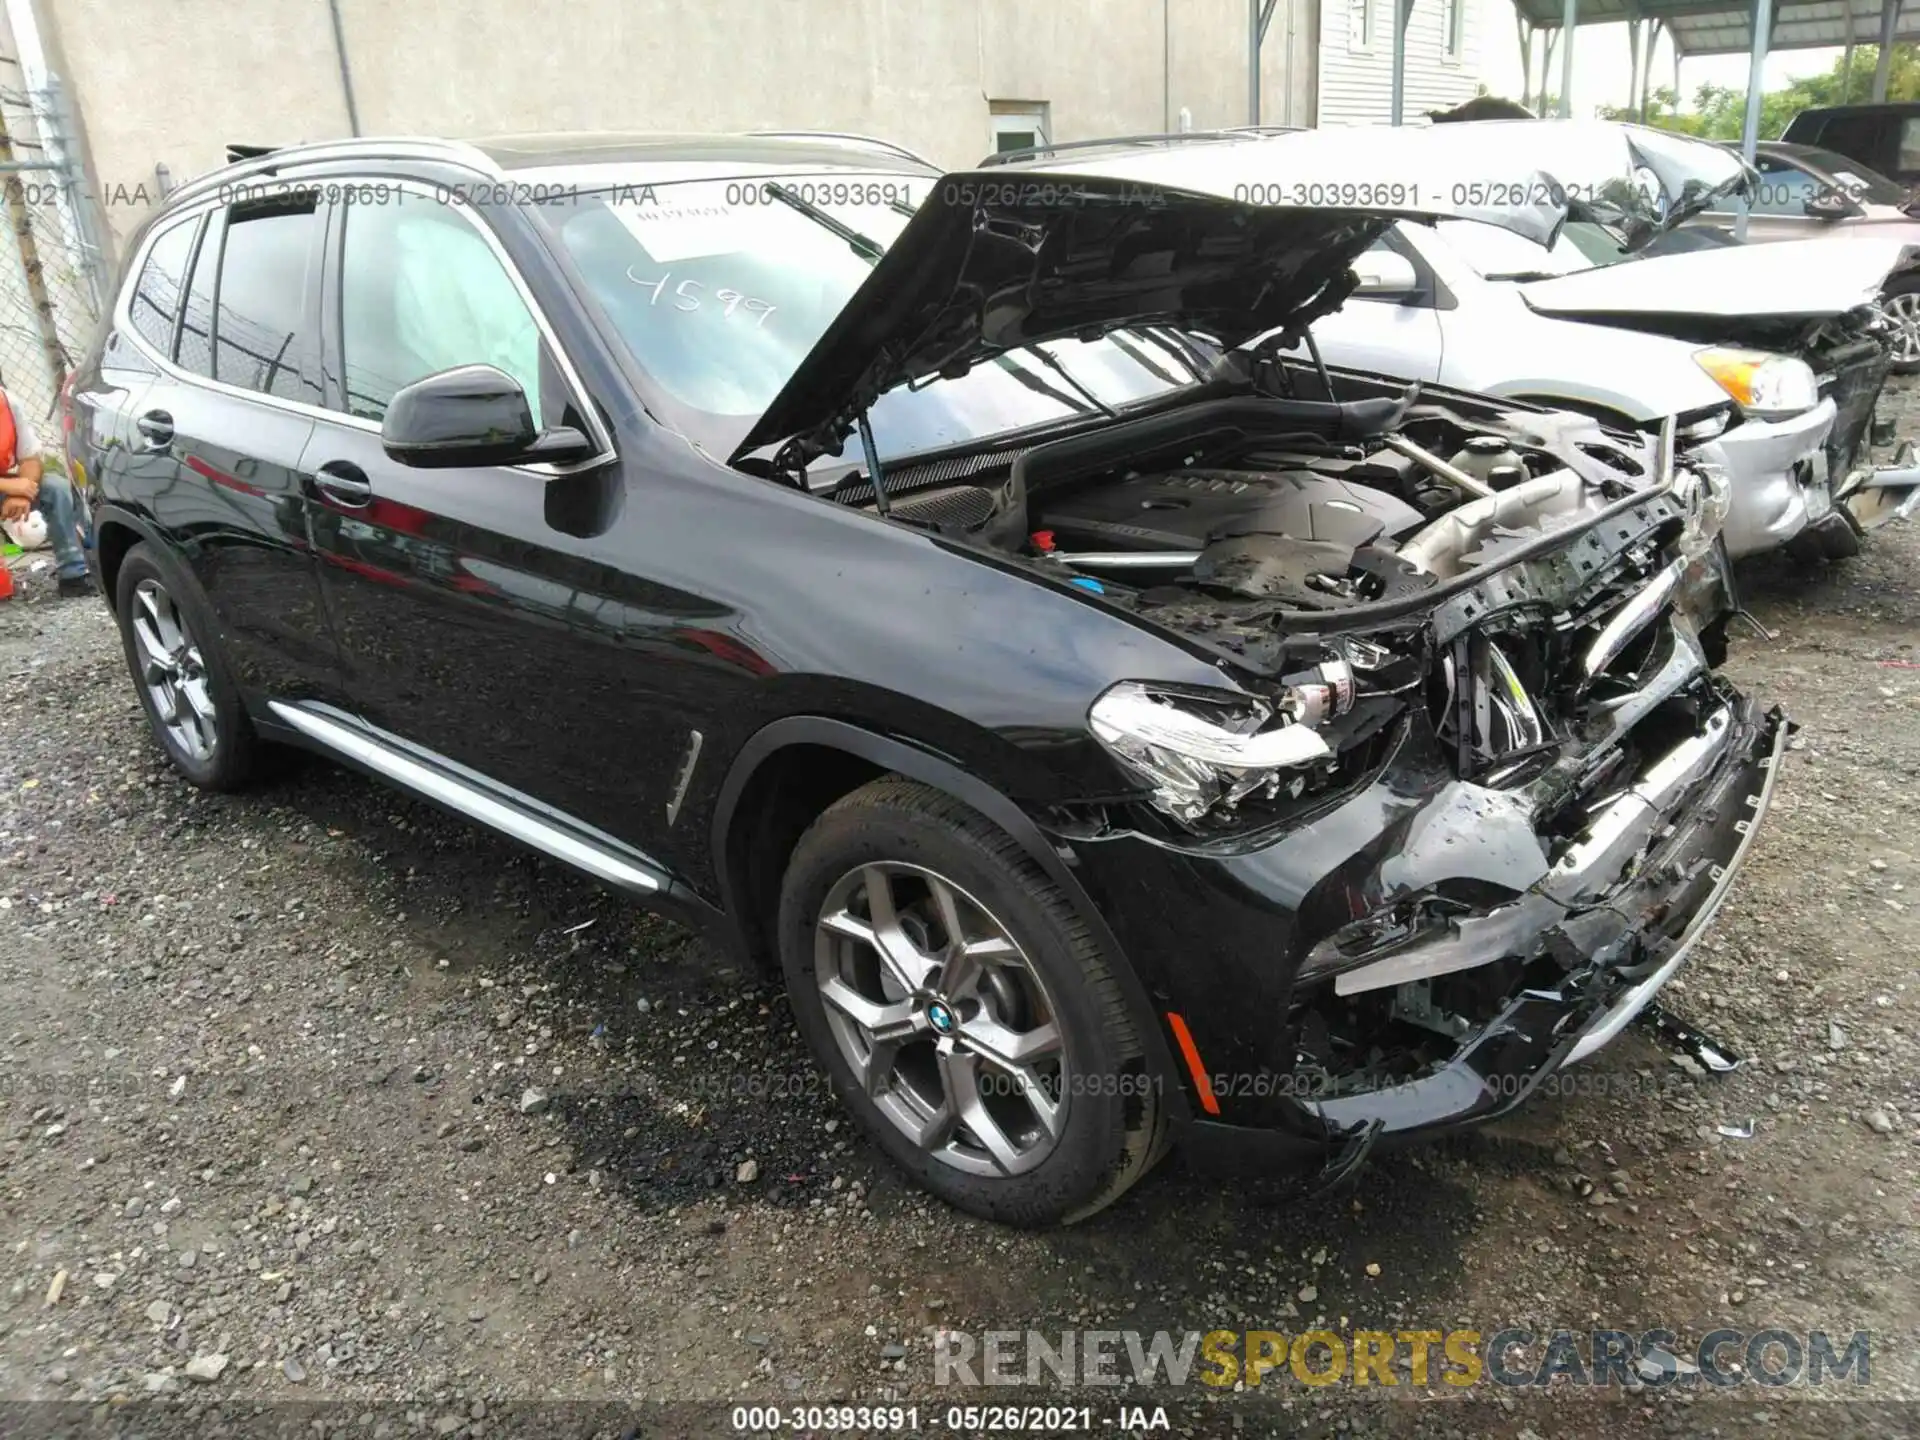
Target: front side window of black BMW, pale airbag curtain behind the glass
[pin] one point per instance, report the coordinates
(423, 291)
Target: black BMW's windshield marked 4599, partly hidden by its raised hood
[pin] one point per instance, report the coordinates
(721, 289)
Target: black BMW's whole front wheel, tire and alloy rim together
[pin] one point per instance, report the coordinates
(1038, 972)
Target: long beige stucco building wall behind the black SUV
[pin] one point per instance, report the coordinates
(174, 82)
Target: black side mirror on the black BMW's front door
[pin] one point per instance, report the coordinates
(471, 416)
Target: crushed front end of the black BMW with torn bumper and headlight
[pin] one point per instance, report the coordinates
(1481, 815)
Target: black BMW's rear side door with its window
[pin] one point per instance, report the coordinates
(218, 433)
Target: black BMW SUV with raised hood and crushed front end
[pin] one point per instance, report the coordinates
(948, 592)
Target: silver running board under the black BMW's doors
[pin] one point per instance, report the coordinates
(473, 796)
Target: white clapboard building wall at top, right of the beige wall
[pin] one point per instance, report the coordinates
(1356, 60)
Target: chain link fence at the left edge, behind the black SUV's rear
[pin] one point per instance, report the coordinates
(53, 277)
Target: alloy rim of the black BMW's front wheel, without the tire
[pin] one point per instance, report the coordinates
(942, 1019)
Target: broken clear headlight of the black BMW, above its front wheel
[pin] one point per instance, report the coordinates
(1209, 750)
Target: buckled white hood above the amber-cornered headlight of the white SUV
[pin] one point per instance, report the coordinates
(1788, 279)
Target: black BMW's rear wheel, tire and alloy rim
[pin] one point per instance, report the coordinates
(195, 711)
